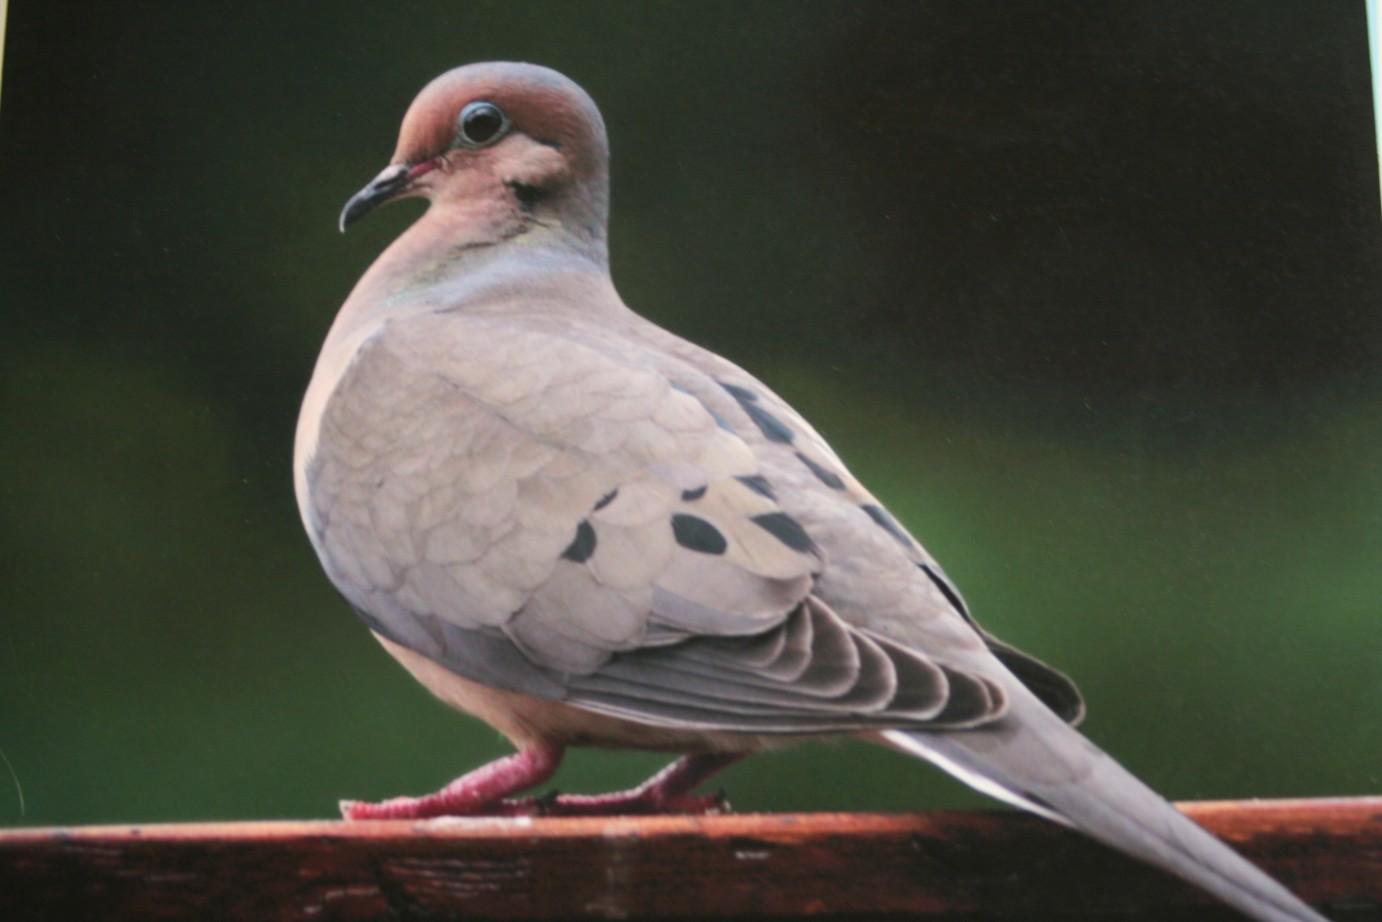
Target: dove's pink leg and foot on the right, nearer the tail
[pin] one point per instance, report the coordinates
(670, 791)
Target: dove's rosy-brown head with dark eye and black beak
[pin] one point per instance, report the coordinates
(511, 144)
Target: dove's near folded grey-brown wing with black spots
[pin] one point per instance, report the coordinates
(542, 508)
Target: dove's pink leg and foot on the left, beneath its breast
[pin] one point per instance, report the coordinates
(480, 793)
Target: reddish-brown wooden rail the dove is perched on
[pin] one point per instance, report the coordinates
(979, 866)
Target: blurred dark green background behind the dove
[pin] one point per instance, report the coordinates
(1090, 297)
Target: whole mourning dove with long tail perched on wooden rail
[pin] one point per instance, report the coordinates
(587, 531)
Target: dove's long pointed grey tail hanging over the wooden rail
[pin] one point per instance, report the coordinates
(1034, 761)
